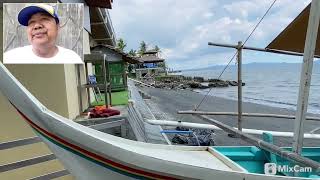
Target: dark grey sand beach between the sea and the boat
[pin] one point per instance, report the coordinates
(170, 101)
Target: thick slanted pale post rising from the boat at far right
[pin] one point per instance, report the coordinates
(305, 78)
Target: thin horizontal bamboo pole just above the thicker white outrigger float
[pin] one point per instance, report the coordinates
(246, 114)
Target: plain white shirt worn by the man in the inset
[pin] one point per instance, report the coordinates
(25, 55)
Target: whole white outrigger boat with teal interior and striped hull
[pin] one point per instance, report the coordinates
(90, 154)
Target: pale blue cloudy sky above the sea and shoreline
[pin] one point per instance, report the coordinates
(183, 28)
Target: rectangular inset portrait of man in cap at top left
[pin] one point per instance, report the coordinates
(43, 33)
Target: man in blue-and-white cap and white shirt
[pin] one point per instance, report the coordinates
(42, 25)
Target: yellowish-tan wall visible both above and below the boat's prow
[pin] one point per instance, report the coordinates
(48, 84)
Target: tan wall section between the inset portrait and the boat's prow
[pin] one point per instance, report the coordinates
(46, 83)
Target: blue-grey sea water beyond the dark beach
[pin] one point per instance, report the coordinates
(273, 84)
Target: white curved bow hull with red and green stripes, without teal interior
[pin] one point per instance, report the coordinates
(91, 154)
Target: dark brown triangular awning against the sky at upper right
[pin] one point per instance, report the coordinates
(293, 37)
